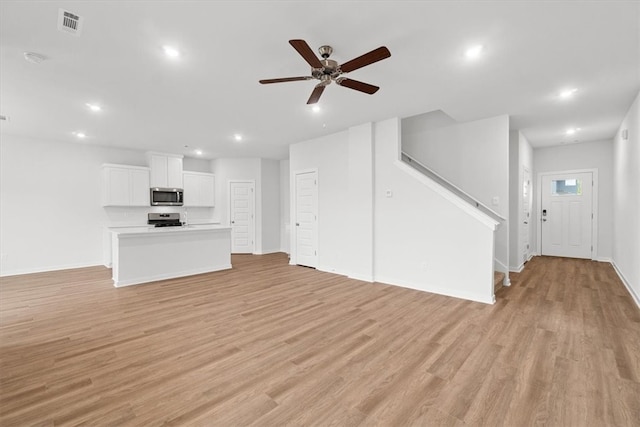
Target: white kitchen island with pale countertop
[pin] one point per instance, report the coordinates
(147, 254)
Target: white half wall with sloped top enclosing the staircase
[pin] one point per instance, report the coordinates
(423, 240)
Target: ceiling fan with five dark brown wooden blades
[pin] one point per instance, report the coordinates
(327, 70)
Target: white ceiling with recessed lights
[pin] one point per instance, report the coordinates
(533, 50)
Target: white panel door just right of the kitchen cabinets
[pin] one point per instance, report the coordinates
(241, 216)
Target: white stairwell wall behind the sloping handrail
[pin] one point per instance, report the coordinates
(472, 155)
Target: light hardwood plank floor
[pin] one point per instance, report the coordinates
(268, 344)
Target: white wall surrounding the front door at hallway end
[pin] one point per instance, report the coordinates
(587, 155)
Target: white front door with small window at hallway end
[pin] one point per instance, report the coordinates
(566, 214)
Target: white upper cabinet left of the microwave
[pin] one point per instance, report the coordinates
(125, 185)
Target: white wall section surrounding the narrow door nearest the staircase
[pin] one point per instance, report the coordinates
(329, 155)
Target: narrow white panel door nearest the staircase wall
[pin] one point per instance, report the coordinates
(306, 216)
